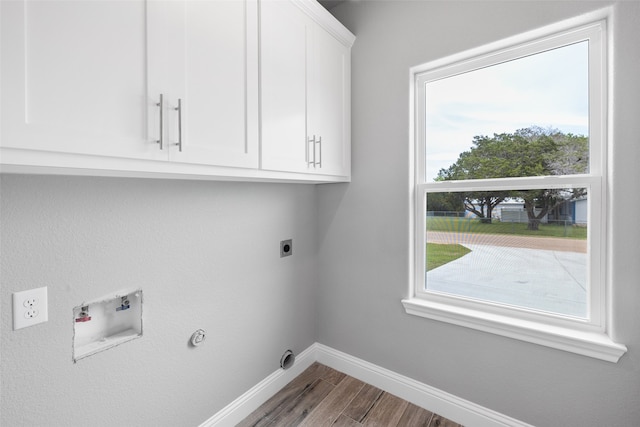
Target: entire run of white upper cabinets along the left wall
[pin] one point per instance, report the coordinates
(178, 88)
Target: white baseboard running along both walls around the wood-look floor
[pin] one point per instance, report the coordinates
(433, 399)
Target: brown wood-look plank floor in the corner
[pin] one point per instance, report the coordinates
(322, 396)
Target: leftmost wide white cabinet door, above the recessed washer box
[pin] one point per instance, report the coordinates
(74, 77)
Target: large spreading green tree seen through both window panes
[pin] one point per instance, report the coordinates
(532, 151)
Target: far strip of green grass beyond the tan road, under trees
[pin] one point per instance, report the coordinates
(473, 225)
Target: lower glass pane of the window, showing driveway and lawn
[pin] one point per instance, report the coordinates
(522, 248)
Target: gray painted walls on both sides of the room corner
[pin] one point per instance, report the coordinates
(206, 255)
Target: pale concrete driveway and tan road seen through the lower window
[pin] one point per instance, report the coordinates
(548, 274)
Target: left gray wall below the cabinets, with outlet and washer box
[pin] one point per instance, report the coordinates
(206, 255)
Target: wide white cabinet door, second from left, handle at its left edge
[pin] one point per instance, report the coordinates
(213, 71)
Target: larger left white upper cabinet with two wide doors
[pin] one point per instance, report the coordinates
(85, 77)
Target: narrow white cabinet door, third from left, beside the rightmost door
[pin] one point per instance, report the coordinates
(284, 33)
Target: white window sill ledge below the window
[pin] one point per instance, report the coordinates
(591, 344)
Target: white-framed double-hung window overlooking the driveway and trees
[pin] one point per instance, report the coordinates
(509, 207)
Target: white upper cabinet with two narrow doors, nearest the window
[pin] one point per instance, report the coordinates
(305, 89)
